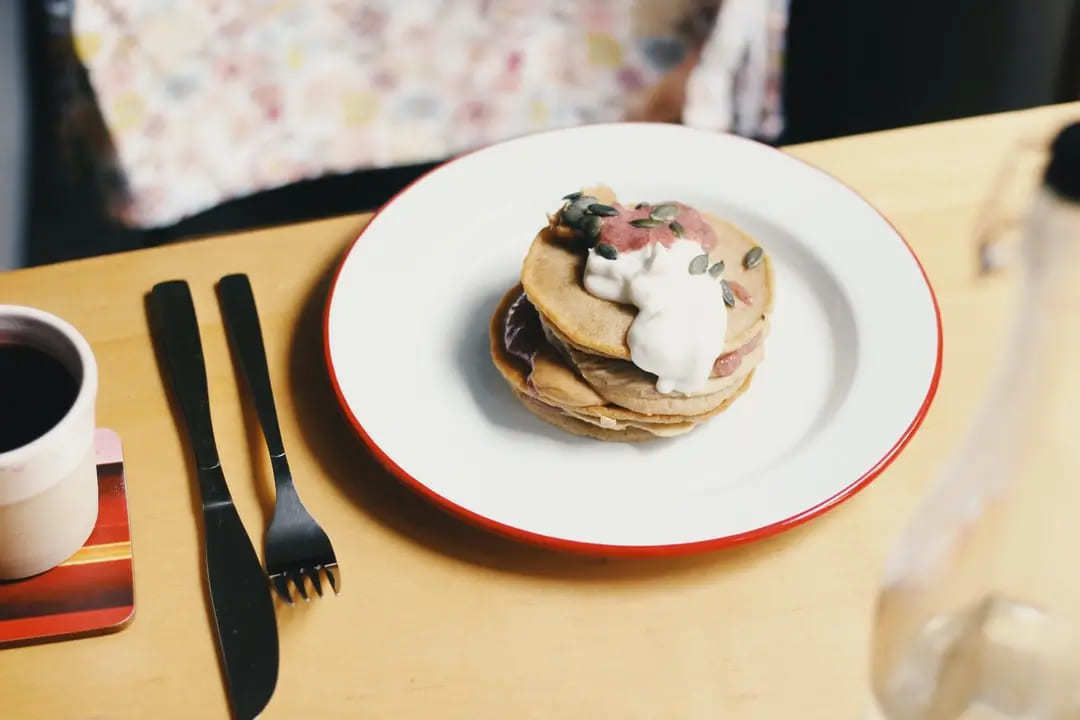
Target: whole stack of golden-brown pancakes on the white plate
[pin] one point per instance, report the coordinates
(565, 356)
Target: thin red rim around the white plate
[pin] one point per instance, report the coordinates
(634, 551)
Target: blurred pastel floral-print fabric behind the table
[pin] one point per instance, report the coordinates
(211, 100)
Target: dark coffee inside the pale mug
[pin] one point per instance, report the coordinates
(36, 392)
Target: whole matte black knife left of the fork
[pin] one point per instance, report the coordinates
(240, 593)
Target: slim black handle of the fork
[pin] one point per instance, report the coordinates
(242, 321)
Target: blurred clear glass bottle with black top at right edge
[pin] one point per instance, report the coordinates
(979, 615)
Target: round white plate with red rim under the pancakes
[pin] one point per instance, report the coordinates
(853, 359)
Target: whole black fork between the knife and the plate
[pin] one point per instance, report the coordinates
(296, 547)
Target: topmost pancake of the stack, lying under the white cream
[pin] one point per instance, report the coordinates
(552, 278)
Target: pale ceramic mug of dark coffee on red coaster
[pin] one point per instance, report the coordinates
(48, 472)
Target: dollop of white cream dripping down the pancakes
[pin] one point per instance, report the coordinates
(682, 320)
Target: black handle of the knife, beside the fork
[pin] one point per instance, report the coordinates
(178, 334)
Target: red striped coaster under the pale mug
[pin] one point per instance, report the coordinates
(91, 592)
